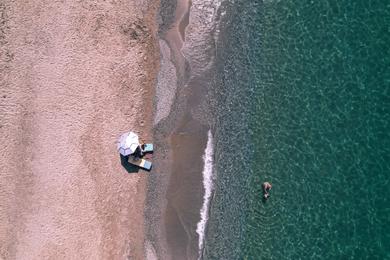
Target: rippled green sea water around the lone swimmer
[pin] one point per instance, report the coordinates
(303, 101)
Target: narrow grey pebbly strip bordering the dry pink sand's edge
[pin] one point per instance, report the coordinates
(171, 74)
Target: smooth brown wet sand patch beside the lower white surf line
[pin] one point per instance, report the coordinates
(185, 191)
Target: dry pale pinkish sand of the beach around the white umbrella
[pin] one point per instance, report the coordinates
(74, 75)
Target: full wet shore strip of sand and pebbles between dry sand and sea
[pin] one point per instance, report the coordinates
(181, 130)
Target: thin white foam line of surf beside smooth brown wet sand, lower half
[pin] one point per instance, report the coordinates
(208, 189)
